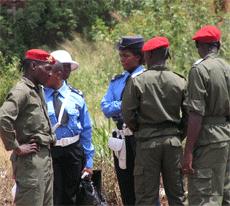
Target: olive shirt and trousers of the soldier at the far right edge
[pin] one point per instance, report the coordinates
(209, 96)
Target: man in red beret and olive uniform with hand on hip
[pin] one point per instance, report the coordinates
(25, 129)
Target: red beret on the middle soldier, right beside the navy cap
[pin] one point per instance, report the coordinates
(155, 43)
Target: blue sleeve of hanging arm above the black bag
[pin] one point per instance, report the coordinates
(86, 136)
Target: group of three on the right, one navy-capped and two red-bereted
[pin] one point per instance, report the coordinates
(155, 109)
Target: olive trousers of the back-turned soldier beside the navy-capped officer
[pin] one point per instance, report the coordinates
(155, 156)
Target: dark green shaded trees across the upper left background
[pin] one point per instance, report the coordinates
(45, 23)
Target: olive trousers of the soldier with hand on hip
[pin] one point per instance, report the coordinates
(34, 178)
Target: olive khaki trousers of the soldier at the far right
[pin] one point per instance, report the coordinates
(210, 185)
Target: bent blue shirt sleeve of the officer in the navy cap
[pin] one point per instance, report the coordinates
(109, 105)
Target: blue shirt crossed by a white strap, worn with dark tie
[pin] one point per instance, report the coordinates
(79, 119)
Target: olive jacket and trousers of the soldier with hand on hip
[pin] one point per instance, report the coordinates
(23, 117)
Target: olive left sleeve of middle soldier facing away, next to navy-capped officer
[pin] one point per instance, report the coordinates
(130, 105)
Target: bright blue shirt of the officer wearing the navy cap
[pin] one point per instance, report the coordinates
(111, 102)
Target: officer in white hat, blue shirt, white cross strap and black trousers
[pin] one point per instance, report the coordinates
(73, 151)
